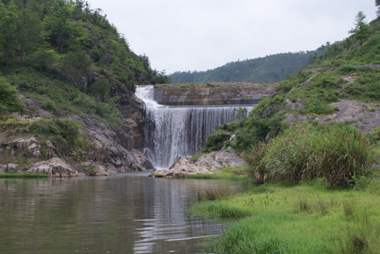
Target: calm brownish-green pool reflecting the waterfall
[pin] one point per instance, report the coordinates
(118, 214)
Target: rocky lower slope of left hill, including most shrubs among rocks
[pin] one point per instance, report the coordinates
(104, 150)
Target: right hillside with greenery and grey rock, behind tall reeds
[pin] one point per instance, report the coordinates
(341, 86)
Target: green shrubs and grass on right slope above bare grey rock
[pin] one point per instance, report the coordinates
(311, 91)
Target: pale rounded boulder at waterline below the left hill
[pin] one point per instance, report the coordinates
(55, 167)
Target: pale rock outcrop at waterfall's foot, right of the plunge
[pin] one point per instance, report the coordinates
(206, 164)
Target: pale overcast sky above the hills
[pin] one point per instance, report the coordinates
(182, 35)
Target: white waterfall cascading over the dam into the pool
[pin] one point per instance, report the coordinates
(171, 132)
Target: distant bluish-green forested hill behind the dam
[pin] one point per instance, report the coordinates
(267, 69)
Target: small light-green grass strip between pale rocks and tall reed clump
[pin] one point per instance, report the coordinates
(235, 174)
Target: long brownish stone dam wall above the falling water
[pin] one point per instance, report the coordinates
(212, 94)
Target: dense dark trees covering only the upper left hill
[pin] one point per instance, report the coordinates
(67, 39)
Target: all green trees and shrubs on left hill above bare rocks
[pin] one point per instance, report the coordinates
(69, 57)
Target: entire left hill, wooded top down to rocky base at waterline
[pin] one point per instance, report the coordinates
(67, 79)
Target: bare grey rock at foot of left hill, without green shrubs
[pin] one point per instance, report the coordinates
(106, 150)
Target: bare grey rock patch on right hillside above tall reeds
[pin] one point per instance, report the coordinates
(365, 116)
